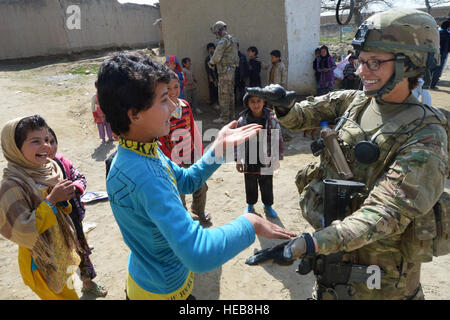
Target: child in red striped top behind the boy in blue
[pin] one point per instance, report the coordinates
(183, 145)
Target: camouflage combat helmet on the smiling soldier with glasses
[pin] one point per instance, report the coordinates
(411, 35)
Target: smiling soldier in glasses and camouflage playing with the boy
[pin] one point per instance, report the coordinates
(390, 223)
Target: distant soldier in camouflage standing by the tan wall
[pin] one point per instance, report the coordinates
(226, 59)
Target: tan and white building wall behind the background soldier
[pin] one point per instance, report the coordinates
(261, 23)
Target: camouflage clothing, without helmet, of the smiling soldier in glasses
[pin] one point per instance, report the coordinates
(400, 192)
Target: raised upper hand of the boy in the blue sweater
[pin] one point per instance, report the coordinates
(230, 136)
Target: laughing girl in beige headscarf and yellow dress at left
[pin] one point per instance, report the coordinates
(34, 210)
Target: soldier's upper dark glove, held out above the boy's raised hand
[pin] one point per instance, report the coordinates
(276, 96)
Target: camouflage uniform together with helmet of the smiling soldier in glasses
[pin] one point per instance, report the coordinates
(391, 224)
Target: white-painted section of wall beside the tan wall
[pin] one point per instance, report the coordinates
(303, 34)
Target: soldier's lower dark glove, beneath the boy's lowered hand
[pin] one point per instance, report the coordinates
(285, 253)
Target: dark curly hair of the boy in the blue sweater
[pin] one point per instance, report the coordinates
(127, 81)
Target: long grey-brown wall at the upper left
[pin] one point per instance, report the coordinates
(31, 28)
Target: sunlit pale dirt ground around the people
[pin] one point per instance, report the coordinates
(61, 93)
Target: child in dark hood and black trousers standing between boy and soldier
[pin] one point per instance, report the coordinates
(260, 172)
